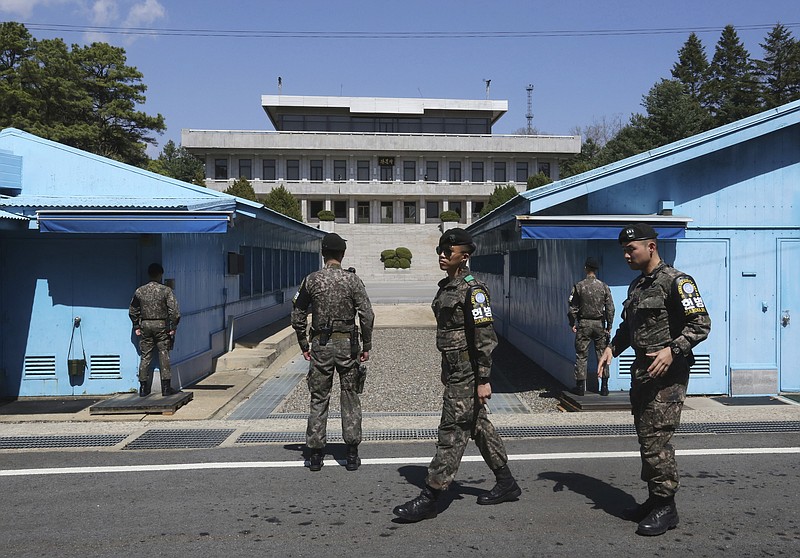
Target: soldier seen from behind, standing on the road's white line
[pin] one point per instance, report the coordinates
(335, 297)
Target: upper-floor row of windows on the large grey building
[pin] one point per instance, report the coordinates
(363, 168)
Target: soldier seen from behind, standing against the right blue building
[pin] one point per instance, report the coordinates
(591, 313)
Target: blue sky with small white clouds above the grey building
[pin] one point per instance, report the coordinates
(208, 62)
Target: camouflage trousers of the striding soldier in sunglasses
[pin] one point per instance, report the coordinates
(462, 418)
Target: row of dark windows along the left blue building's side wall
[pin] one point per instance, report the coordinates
(270, 269)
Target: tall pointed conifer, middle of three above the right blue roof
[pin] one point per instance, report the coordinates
(732, 89)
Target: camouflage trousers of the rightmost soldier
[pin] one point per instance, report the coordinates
(656, 415)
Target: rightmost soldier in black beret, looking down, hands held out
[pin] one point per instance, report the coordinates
(663, 317)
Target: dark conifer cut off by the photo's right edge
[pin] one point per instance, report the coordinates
(779, 71)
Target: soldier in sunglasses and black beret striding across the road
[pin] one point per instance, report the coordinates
(465, 336)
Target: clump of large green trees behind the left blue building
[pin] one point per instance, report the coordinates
(86, 97)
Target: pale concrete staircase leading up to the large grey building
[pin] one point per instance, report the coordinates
(366, 242)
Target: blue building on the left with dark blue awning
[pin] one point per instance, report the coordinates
(77, 232)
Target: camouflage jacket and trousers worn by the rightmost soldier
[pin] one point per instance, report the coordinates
(663, 309)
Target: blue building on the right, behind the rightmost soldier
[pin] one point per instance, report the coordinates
(727, 205)
